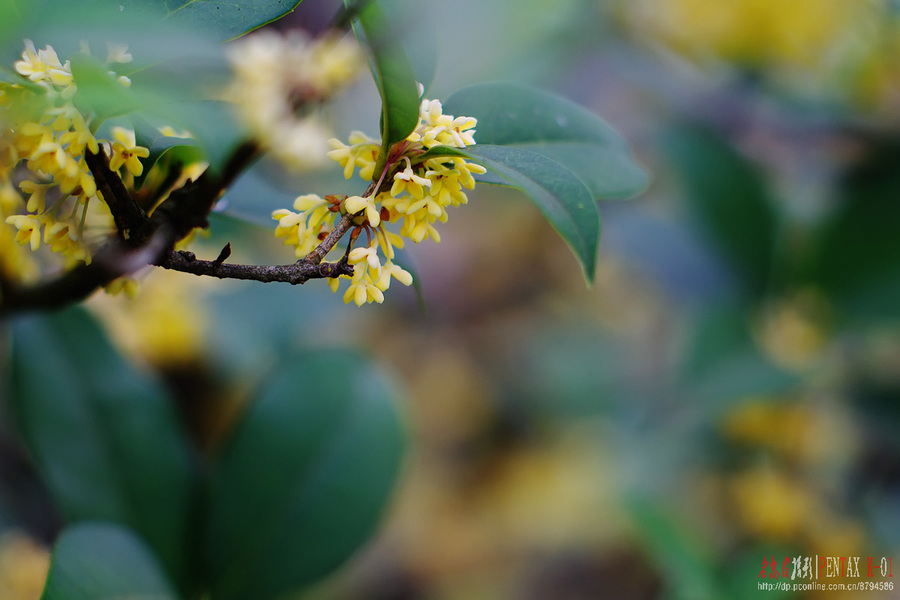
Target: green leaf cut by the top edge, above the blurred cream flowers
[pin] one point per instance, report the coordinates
(227, 20)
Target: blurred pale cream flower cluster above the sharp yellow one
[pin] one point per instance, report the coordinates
(278, 77)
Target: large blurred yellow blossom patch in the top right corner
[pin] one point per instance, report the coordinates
(843, 49)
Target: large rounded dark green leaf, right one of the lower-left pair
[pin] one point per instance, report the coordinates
(302, 483)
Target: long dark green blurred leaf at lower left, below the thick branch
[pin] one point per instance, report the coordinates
(104, 436)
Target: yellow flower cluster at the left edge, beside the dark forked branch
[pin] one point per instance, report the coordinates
(43, 142)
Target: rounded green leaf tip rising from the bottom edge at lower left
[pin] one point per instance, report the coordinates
(102, 561)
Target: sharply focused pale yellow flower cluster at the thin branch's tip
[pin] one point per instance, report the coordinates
(422, 187)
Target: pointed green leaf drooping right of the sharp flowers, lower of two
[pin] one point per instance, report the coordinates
(560, 195)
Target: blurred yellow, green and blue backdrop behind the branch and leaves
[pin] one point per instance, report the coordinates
(728, 389)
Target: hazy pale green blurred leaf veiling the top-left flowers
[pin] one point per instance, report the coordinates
(167, 56)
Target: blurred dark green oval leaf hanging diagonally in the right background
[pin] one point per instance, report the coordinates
(730, 199)
